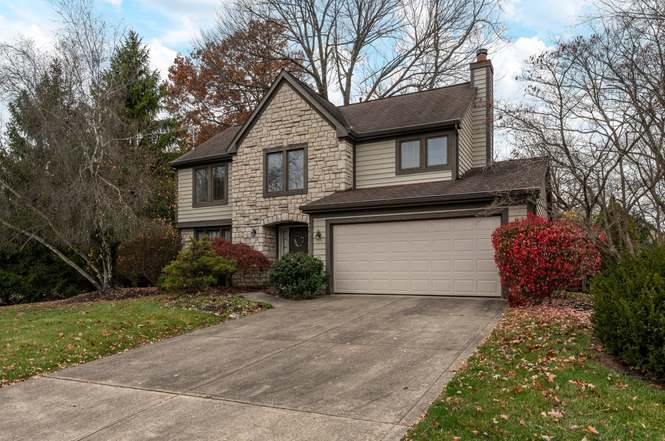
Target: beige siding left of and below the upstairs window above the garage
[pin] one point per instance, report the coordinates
(375, 167)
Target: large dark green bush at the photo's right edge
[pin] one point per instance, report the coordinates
(629, 310)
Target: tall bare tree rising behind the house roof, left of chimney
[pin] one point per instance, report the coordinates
(373, 48)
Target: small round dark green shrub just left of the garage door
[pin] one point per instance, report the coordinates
(297, 276)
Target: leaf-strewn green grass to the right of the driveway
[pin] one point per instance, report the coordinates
(539, 377)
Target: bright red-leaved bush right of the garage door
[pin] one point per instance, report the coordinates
(537, 257)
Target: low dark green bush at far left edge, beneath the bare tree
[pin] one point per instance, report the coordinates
(35, 274)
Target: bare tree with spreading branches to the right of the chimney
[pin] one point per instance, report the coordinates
(596, 107)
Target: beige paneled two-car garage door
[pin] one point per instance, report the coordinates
(425, 257)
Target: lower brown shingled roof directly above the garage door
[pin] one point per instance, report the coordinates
(519, 176)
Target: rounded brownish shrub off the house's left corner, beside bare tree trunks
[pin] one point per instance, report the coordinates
(139, 262)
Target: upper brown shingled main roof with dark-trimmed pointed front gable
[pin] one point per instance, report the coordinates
(384, 116)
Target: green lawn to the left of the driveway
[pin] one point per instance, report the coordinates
(42, 337)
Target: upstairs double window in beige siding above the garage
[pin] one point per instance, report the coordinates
(425, 153)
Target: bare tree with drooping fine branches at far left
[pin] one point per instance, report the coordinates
(72, 177)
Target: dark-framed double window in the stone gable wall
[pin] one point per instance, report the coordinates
(286, 171)
